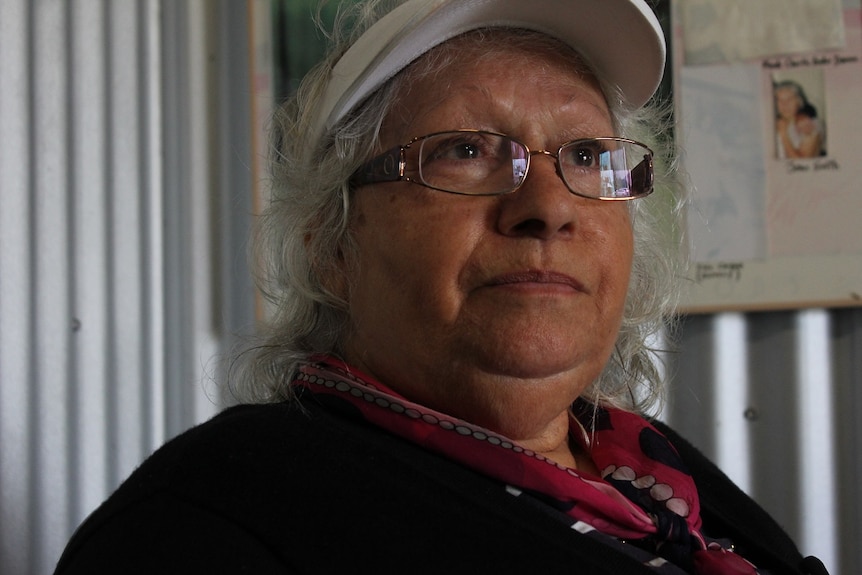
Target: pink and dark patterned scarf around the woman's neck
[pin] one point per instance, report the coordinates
(644, 495)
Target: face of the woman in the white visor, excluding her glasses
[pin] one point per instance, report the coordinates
(499, 310)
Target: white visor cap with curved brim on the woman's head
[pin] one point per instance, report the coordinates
(621, 41)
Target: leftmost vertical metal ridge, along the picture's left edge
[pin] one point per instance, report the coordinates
(16, 275)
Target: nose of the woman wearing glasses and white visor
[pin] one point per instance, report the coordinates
(543, 207)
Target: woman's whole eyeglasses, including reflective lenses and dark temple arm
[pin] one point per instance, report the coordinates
(479, 163)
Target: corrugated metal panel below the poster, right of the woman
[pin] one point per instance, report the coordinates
(774, 398)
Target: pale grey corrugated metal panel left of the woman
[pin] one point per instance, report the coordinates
(125, 189)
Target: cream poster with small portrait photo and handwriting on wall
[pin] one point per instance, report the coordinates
(768, 97)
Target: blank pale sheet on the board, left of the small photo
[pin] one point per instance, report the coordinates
(724, 155)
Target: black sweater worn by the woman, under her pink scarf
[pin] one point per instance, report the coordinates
(278, 489)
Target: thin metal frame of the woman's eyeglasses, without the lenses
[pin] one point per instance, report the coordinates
(382, 168)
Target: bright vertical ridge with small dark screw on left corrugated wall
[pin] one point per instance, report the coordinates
(89, 191)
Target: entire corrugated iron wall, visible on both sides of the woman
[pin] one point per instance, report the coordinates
(125, 194)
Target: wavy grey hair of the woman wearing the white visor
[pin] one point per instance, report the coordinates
(304, 232)
